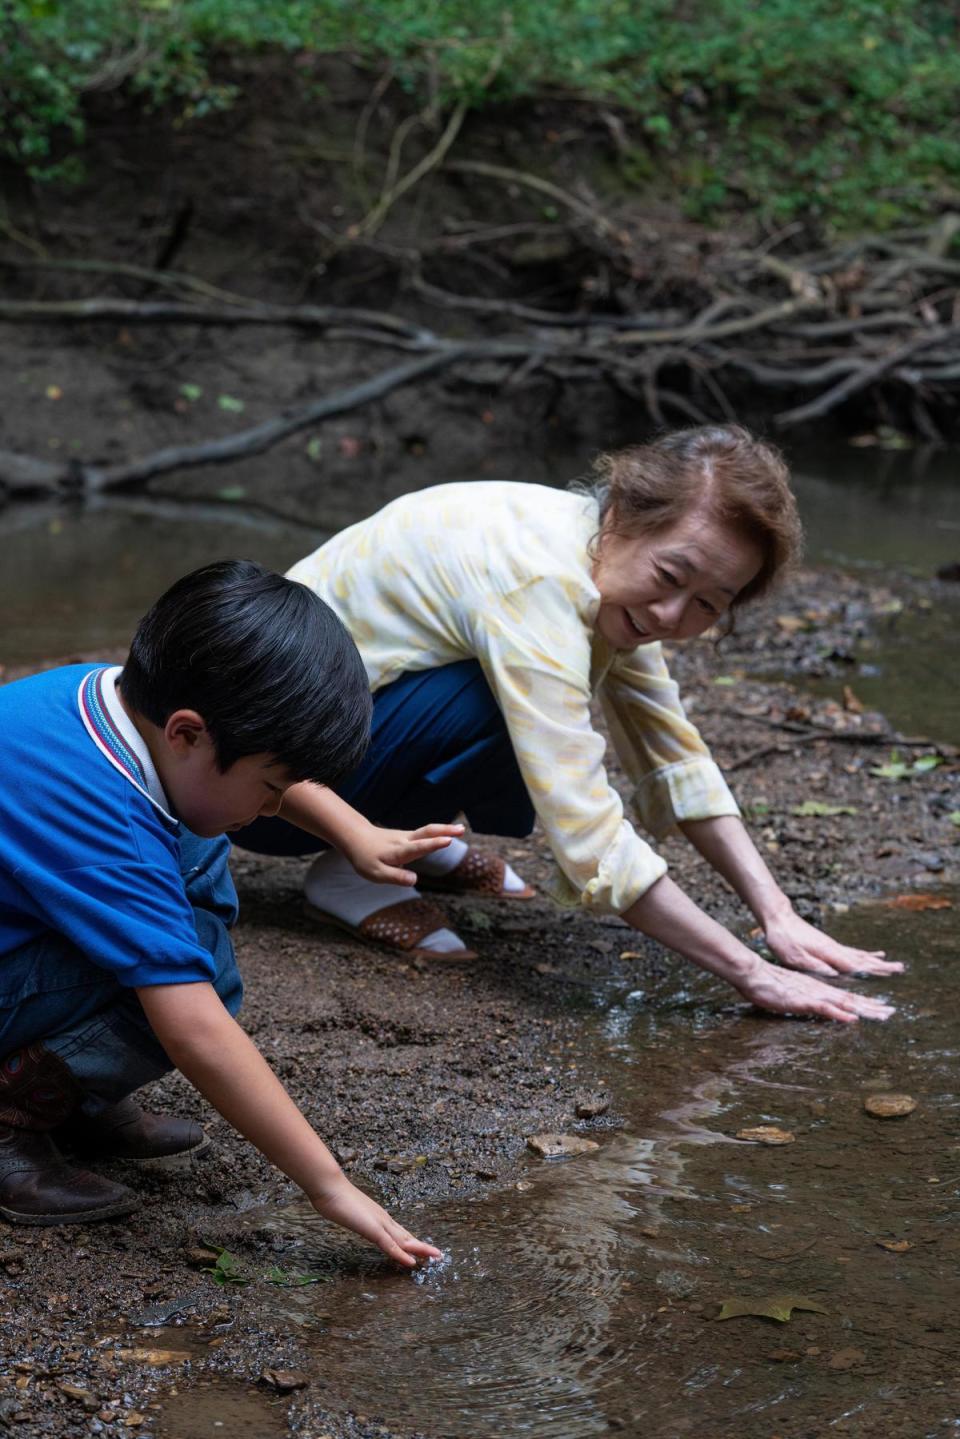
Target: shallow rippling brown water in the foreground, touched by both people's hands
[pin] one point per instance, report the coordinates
(582, 1299)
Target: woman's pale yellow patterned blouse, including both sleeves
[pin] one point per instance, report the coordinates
(502, 573)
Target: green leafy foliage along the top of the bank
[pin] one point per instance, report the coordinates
(791, 109)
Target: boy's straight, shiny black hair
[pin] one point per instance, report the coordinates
(264, 661)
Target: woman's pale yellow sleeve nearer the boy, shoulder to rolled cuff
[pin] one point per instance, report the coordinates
(536, 655)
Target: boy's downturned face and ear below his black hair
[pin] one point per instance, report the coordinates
(211, 801)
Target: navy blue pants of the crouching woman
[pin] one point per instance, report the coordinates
(440, 748)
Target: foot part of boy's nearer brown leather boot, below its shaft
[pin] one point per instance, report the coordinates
(40, 1188)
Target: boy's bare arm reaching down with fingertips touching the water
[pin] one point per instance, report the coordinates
(227, 1067)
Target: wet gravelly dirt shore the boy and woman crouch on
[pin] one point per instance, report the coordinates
(428, 1081)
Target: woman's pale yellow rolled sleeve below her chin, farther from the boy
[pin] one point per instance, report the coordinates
(664, 755)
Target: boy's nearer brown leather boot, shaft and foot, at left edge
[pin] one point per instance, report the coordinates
(37, 1185)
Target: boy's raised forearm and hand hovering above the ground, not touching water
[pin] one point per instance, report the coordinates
(376, 854)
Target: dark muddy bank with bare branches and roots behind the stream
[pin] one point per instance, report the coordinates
(266, 204)
